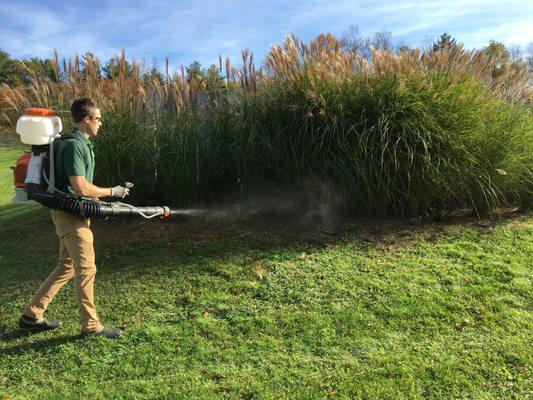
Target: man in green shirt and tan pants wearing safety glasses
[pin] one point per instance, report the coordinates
(74, 170)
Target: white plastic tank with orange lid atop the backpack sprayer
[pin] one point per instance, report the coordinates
(38, 126)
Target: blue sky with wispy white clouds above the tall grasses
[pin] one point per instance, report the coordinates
(201, 30)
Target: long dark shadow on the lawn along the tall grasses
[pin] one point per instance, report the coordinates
(132, 248)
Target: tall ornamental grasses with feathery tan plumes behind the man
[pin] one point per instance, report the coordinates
(414, 133)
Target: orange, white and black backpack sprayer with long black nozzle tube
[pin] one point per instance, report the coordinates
(34, 174)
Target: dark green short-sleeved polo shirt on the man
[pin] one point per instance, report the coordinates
(74, 156)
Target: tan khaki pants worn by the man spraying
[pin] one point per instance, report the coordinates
(76, 260)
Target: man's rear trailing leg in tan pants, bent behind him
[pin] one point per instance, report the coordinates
(55, 281)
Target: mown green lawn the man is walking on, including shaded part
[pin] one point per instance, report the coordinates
(275, 309)
